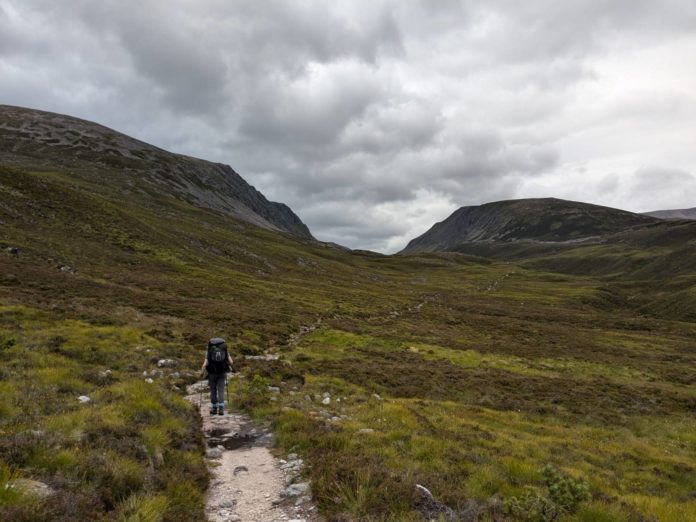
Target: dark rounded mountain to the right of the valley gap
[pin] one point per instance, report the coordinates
(543, 220)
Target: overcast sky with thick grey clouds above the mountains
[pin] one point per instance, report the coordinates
(375, 119)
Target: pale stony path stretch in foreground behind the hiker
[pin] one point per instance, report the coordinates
(248, 483)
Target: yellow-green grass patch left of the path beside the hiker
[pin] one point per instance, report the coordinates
(122, 452)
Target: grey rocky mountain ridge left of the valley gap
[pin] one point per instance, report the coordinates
(35, 139)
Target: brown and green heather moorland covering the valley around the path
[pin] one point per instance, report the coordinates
(487, 381)
